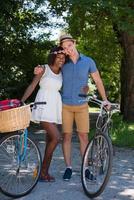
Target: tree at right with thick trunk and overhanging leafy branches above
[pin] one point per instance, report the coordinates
(120, 16)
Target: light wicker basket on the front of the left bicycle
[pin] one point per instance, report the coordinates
(15, 119)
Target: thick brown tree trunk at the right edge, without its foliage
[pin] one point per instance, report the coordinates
(127, 77)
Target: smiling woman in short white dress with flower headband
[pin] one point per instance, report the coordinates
(49, 114)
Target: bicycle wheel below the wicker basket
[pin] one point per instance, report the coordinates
(18, 178)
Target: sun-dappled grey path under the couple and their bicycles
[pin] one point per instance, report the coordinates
(120, 186)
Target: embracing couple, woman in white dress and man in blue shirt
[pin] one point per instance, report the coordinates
(67, 69)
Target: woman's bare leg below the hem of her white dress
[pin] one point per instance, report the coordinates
(52, 139)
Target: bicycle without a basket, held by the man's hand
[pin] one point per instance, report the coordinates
(97, 160)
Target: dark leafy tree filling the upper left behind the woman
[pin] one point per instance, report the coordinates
(18, 52)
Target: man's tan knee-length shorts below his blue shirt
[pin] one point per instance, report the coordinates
(79, 114)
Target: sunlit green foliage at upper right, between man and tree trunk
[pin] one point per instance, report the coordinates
(97, 26)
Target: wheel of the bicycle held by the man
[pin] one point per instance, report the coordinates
(96, 165)
